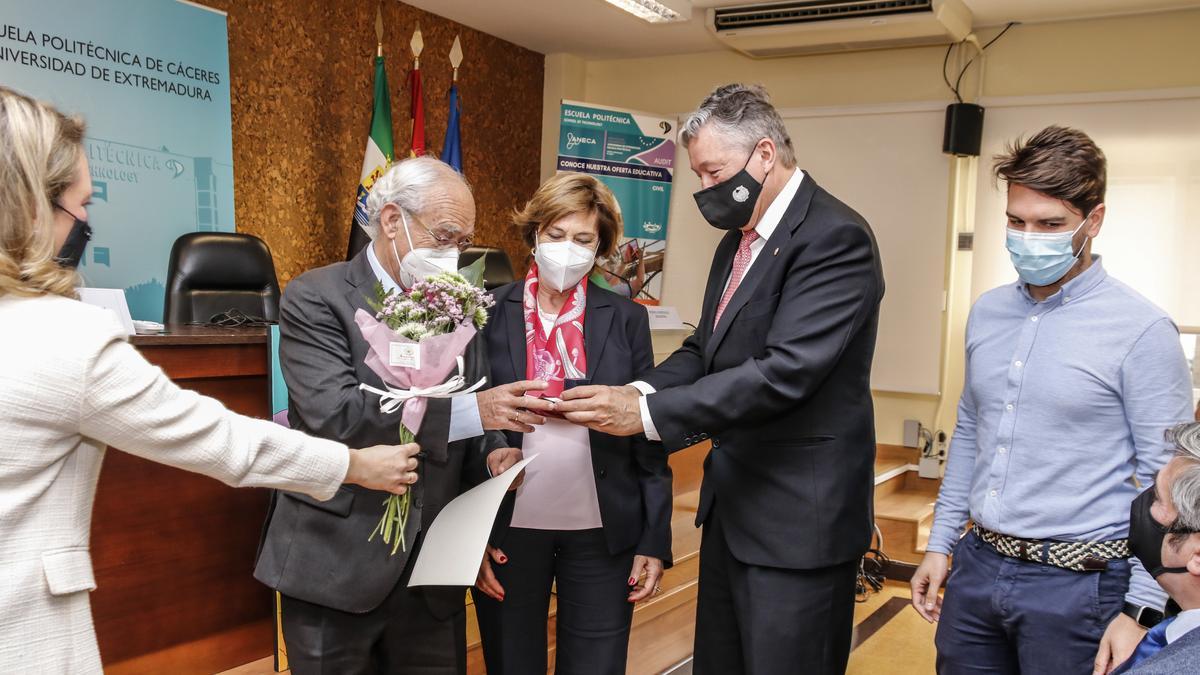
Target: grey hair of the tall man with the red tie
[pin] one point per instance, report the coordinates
(742, 114)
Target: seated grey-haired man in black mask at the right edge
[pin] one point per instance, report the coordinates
(1165, 533)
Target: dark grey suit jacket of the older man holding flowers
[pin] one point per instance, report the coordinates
(319, 552)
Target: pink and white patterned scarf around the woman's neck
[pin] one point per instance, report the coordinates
(561, 355)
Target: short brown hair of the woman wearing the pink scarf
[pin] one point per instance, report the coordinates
(567, 194)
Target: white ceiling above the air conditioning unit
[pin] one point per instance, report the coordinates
(598, 31)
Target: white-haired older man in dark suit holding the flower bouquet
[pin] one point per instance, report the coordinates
(346, 607)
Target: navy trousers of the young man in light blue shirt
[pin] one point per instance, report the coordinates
(1007, 616)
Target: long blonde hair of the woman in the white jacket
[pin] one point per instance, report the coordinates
(40, 152)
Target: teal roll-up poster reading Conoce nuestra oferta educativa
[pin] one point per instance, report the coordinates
(634, 156)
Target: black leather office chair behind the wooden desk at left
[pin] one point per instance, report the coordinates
(217, 272)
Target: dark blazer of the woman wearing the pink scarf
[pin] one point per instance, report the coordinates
(632, 474)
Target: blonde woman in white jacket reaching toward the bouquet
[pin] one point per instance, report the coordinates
(71, 385)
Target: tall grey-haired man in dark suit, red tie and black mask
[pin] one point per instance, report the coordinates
(778, 379)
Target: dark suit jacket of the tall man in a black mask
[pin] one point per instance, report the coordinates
(782, 389)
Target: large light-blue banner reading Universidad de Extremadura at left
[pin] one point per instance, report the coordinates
(152, 80)
